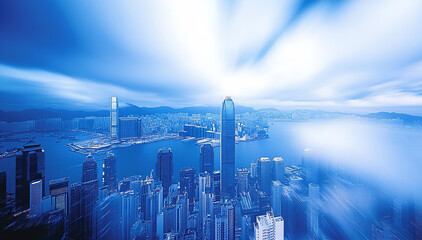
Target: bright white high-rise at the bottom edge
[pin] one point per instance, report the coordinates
(268, 227)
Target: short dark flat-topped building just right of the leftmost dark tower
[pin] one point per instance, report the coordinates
(59, 189)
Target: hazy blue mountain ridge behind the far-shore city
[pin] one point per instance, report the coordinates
(129, 109)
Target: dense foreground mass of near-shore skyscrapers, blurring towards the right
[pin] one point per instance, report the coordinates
(268, 200)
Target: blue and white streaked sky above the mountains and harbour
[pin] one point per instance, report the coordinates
(339, 55)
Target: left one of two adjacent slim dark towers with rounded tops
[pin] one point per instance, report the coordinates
(89, 195)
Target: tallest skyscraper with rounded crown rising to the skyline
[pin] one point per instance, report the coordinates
(227, 148)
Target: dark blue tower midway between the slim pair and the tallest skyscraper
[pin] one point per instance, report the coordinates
(164, 168)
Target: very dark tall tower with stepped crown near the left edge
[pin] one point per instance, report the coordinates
(29, 167)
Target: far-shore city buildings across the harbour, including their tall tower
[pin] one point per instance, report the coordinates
(249, 126)
